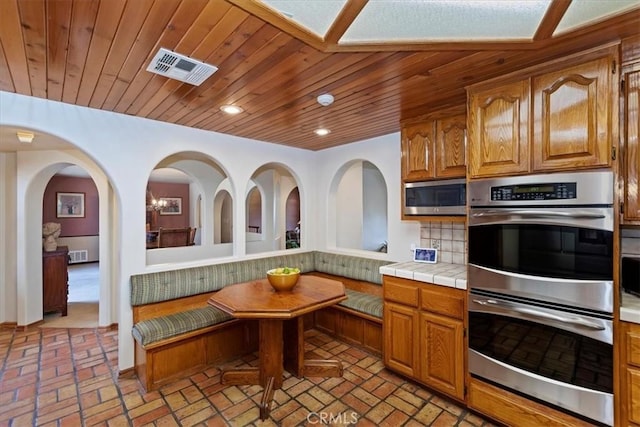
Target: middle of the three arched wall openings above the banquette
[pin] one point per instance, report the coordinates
(268, 218)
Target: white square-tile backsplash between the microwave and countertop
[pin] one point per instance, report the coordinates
(449, 238)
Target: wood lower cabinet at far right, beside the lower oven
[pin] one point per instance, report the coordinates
(629, 397)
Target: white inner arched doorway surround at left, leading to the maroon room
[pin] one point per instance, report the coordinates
(34, 171)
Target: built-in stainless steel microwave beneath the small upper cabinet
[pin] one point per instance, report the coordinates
(447, 197)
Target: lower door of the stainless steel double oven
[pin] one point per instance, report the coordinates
(562, 358)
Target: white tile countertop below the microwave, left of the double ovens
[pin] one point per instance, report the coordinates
(441, 273)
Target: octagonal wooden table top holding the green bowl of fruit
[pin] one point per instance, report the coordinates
(257, 299)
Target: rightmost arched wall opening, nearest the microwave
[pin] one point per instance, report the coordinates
(359, 199)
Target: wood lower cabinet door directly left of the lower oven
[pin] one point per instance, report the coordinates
(441, 355)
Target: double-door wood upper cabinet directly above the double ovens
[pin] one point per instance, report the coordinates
(538, 120)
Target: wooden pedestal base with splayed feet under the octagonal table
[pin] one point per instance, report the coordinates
(277, 352)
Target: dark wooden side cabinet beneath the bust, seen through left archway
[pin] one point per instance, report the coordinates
(55, 280)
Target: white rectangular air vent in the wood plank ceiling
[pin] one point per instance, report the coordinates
(180, 67)
